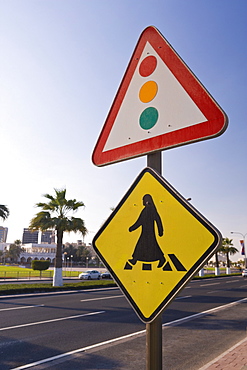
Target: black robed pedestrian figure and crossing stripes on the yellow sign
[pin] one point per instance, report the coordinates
(147, 248)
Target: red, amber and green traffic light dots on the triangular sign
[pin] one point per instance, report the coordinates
(147, 93)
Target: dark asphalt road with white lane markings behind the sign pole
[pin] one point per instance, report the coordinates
(40, 326)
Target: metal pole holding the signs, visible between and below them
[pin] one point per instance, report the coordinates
(154, 329)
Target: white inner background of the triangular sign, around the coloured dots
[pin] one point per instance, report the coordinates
(176, 109)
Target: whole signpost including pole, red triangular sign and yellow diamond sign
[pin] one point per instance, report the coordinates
(155, 73)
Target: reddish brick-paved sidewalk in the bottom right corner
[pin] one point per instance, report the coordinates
(233, 359)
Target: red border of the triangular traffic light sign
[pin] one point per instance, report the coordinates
(215, 125)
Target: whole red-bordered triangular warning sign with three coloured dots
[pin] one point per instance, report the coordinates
(160, 104)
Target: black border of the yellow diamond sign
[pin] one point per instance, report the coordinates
(190, 273)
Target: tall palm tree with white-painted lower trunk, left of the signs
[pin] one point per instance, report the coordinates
(54, 215)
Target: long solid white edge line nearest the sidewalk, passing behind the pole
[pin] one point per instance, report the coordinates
(138, 333)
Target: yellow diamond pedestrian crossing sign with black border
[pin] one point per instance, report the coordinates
(153, 243)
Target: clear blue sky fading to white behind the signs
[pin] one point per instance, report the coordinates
(60, 67)
